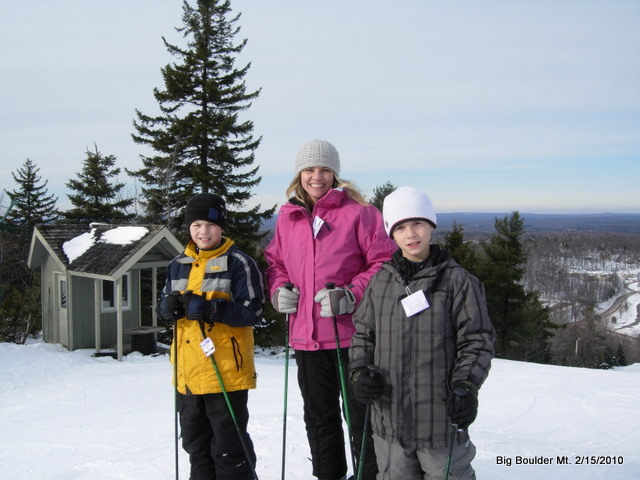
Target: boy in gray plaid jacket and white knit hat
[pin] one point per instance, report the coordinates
(422, 349)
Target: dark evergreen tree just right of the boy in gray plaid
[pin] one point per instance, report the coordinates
(521, 322)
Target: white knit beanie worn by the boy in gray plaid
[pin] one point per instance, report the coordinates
(406, 203)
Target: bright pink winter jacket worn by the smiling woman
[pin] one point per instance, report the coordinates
(348, 249)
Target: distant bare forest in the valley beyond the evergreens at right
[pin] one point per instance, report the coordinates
(574, 271)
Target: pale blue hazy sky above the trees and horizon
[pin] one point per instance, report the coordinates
(490, 106)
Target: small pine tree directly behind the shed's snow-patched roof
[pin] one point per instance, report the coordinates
(97, 199)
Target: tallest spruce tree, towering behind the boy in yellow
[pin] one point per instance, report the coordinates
(200, 141)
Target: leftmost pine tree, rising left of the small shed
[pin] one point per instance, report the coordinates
(32, 205)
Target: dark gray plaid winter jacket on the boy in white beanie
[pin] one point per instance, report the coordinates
(422, 356)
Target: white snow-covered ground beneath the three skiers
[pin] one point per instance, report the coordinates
(68, 415)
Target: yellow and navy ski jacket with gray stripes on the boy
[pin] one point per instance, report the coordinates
(222, 273)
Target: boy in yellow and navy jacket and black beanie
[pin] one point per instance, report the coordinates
(214, 294)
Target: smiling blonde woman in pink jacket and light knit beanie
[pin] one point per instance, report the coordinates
(326, 233)
